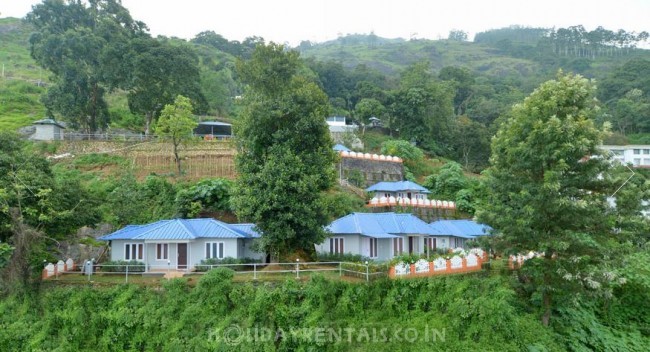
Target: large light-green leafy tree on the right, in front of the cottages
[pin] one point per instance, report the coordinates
(543, 195)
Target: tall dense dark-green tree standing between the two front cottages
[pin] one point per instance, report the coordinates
(284, 154)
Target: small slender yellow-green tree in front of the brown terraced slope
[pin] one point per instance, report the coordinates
(177, 123)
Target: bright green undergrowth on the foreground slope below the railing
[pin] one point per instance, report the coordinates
(128, 317)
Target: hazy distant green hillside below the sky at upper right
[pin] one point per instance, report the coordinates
(516, 60)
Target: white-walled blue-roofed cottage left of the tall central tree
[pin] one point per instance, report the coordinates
(182, 243)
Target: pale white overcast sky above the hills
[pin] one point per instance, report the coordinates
(320, 20)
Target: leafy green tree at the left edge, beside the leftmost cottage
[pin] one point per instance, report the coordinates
(37, 210)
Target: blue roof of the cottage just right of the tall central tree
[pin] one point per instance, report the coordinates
(380, 225)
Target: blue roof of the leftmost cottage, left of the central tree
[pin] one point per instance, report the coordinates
(182, 229)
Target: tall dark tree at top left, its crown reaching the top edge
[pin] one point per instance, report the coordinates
(85, 48)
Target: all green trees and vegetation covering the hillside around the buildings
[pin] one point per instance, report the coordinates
(501, 125)
